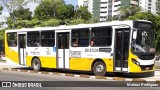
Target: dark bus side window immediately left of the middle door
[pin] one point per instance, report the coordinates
(47, 38)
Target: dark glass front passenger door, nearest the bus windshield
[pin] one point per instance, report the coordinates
(121, 49)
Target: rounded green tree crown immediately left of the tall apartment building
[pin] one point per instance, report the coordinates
(82, 13)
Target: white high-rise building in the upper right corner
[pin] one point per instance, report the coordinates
(148, 5)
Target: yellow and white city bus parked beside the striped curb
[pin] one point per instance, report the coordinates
(117, 46)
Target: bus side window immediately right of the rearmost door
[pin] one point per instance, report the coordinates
(33, 39)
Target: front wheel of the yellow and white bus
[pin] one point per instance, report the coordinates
(99, 68)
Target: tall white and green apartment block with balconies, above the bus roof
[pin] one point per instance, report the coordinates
(103, 9)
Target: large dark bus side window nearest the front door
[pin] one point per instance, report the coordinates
(101, 36)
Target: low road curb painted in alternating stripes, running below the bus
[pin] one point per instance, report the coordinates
(81, 75)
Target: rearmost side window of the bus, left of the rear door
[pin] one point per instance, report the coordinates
(12, 39)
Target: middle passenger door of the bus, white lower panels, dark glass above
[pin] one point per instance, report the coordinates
(63, 49)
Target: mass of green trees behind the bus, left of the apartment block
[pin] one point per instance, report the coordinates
(48, 13)
